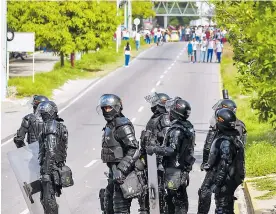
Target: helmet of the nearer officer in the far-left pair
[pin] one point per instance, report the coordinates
(48, 110)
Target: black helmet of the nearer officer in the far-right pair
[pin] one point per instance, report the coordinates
(226, 119)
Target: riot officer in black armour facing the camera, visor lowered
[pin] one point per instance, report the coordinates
(119, 149)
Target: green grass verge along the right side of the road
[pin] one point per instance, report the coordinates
(261, 146)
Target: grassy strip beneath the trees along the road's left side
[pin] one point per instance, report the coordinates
(91, 65)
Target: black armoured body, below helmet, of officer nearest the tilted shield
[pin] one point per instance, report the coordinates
(53, 144)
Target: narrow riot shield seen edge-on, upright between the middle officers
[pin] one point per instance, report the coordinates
(153, 185)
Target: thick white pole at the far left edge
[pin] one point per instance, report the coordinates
(4, 49)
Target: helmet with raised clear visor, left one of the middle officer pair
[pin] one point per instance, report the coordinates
(157, 101)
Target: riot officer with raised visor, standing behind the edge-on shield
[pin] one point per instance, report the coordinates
(154, 134)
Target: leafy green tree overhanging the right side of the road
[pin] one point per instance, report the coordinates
(251, 28)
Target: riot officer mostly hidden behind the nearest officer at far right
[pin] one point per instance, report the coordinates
(205, 194)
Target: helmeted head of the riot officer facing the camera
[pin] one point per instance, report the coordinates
(111, 106)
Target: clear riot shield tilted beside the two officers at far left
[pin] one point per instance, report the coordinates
(24, 163)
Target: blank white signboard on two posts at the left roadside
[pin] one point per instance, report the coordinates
(22, 42)
